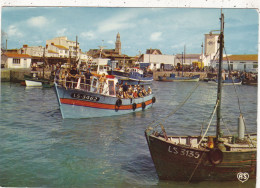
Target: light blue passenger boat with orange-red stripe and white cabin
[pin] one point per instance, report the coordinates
(94, 100)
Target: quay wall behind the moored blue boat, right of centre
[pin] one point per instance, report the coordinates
(167, 73)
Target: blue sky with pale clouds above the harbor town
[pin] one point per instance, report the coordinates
(167, 29)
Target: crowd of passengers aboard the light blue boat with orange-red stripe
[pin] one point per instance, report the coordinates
(69, 79)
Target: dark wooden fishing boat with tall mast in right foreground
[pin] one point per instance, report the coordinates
(203, 157)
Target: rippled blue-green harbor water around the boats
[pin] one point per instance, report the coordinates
(40, 149)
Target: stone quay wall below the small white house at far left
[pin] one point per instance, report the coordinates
(17, 75)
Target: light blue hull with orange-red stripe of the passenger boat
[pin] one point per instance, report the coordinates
(75, 103)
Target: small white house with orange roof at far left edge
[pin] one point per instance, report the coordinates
(15, 60)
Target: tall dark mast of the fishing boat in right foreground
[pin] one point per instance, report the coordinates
(221, 42)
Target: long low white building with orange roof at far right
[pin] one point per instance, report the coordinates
(247, 63)
